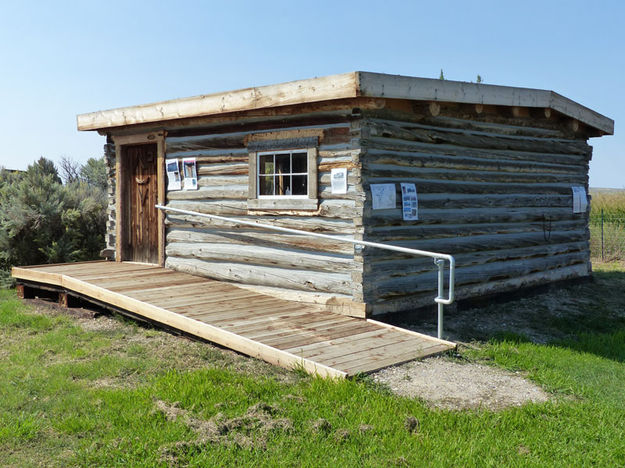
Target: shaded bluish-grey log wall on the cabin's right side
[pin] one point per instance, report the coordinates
(497, 197)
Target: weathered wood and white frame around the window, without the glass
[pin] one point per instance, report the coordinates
(283, 202)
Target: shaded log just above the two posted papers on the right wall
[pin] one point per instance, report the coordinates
(401, 172)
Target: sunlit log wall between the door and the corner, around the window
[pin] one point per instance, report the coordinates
(308, 269)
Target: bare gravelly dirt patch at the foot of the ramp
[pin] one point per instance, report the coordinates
(451, 385)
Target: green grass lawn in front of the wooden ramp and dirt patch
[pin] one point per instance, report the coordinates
(122, 395)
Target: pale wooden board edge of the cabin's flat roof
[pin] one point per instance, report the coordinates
(346, 85)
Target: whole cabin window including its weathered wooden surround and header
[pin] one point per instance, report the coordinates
(283, 174)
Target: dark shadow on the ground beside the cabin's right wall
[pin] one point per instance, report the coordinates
(587, 317)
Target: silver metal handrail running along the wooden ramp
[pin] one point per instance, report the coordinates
(439, 258)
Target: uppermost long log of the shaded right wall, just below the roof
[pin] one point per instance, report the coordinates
(475, 139)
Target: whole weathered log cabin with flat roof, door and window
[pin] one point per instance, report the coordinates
(496, 176)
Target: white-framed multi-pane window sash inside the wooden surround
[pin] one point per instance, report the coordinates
(283, 174)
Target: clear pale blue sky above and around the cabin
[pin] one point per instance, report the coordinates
(59, 59)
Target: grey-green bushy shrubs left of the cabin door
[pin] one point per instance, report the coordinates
(44, 221)
